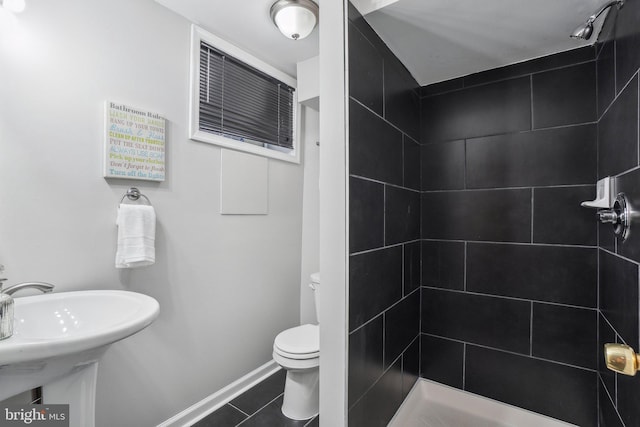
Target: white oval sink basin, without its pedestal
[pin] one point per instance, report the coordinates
(58, 324)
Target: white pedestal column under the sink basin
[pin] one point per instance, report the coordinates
(78, 389)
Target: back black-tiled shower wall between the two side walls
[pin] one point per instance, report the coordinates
(509, 257)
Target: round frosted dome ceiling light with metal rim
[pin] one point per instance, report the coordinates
(295, 18)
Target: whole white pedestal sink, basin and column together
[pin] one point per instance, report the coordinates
(57, 342)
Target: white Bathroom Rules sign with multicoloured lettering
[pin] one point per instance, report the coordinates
(133, 143)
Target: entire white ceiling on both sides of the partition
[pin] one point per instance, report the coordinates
(435, 39)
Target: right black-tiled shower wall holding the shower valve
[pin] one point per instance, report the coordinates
(618, 62)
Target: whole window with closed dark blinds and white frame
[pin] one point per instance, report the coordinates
(239, 101)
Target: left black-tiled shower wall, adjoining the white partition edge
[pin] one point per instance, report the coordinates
(384, 187)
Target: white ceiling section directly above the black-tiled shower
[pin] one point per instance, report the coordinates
(441, 39)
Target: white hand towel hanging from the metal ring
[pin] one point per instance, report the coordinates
(136, 236)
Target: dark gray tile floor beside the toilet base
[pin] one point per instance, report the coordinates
(257, 407)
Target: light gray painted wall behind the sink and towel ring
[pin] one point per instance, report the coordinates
(226, 284)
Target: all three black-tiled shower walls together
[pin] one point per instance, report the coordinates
(520, 287)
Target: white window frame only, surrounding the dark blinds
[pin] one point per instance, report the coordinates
(273, 151)
